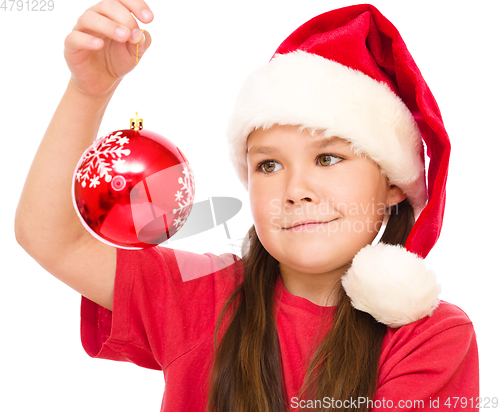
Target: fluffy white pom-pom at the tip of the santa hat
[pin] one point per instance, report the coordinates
(391, 284)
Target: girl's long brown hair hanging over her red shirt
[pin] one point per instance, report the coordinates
(247, 373)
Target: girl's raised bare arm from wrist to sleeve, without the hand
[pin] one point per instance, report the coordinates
(46, 223)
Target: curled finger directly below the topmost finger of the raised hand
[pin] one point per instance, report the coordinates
(97, 25)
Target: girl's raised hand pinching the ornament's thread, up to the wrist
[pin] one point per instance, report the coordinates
(101, 49)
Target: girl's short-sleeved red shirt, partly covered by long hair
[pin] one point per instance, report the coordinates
(167, 302)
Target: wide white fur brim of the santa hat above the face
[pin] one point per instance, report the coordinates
(322, 95)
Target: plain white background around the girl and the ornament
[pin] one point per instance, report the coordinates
(185, 88)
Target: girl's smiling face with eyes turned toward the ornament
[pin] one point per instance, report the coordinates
(343, 193)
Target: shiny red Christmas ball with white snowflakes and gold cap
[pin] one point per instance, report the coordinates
(133, 189)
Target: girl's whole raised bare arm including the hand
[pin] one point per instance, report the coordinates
(99, 52)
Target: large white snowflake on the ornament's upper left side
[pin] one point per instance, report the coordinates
(97, 162)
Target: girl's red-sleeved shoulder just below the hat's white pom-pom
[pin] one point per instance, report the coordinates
(436, 355)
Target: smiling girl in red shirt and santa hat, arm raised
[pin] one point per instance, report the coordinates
(328, 139)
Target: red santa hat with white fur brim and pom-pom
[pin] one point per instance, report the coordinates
(348, 73)
